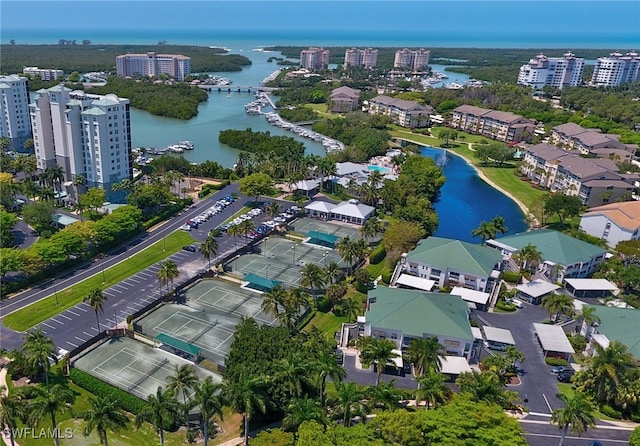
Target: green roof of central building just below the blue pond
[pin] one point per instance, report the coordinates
(444, 253)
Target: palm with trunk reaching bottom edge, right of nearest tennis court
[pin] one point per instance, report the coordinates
(246, 396)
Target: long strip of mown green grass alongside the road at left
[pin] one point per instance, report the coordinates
(42, 310)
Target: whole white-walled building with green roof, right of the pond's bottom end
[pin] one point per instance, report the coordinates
(562, 256)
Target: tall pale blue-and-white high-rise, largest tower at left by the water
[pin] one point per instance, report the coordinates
(85, 134)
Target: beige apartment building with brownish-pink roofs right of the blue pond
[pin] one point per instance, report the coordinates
(595, 181)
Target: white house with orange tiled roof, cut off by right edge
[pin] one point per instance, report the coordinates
(613, 222)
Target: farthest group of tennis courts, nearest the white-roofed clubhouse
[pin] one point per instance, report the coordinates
(282, 259)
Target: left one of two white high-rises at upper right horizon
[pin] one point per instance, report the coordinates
(558, 72)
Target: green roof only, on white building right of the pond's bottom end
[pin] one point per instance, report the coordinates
(555, 246)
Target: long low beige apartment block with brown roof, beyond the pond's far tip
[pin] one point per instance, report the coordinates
(502, 126)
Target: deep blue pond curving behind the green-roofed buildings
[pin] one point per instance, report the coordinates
(466, 200)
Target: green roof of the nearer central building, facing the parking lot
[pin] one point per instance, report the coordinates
(416, 313)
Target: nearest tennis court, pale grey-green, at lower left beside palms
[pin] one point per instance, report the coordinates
(134, 367)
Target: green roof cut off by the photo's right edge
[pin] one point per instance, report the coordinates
(621, 324)
